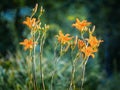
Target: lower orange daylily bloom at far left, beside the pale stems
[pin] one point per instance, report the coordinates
(28, 44)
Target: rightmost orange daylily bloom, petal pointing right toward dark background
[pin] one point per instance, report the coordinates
(93, 41)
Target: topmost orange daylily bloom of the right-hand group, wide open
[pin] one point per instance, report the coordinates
(81, 25)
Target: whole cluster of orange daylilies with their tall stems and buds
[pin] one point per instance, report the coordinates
(84, 45)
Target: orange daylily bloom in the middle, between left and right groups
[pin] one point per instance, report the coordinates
(63, 39)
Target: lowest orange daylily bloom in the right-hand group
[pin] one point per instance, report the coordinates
(88, 51)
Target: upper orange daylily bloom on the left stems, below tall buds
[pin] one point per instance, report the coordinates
(30, 22)
